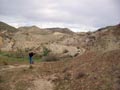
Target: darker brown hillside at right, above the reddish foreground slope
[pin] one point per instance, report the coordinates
(104, 39)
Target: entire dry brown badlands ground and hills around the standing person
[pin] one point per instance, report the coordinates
(64, 60)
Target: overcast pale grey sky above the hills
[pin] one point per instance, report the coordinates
(78, 15)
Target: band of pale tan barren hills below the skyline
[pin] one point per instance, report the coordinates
(60, 39)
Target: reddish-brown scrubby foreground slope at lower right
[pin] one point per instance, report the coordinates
(91, 71)
